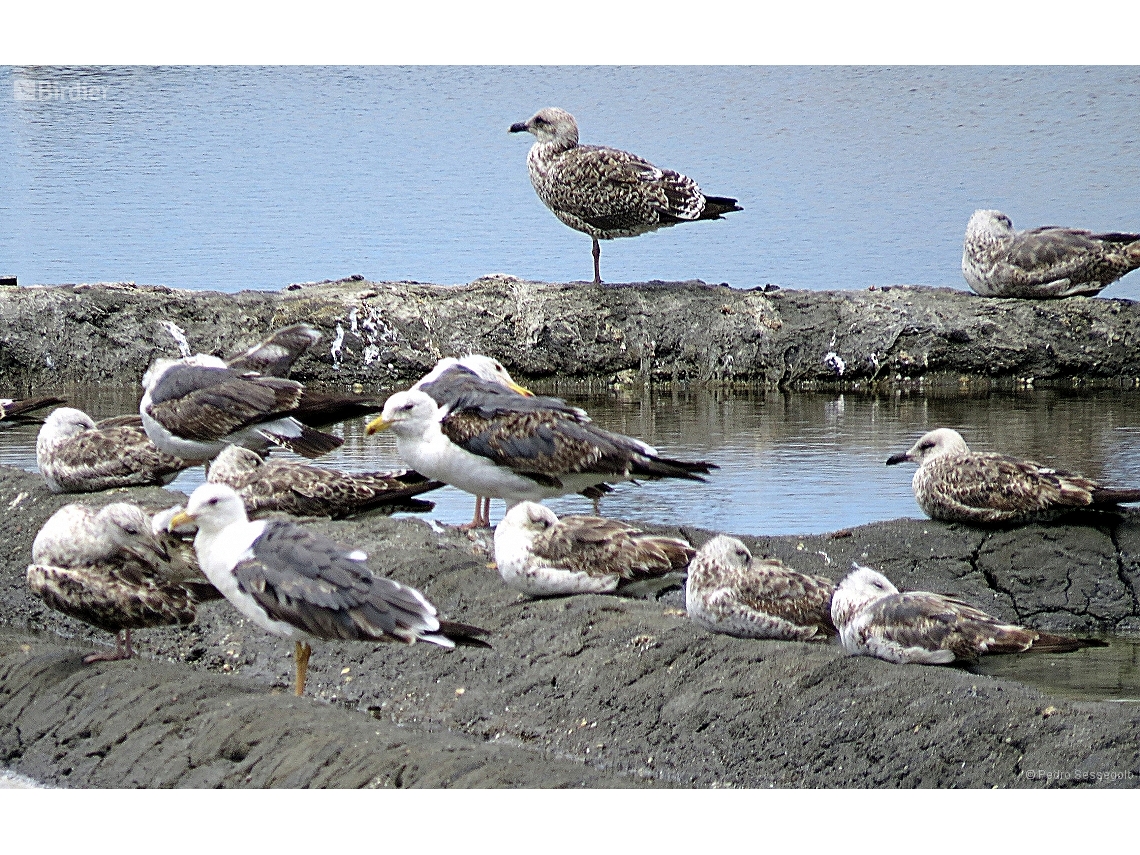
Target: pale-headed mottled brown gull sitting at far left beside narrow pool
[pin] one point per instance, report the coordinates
(77, 455)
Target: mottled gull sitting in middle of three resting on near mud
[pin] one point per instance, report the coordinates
(734, 593)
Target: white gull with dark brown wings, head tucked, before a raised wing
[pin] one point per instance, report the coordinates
(196, 406)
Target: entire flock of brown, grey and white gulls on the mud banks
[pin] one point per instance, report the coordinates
(468, 424)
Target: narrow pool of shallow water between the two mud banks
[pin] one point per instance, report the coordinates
(789, 463)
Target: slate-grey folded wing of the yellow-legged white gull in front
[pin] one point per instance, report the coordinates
(315, 584)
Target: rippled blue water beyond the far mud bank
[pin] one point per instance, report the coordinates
(233, 178)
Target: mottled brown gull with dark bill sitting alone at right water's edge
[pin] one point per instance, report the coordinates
(956, 485)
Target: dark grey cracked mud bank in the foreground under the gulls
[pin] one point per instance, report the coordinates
(583, 691)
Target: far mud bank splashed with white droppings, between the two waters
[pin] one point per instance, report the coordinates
(574, 336)
